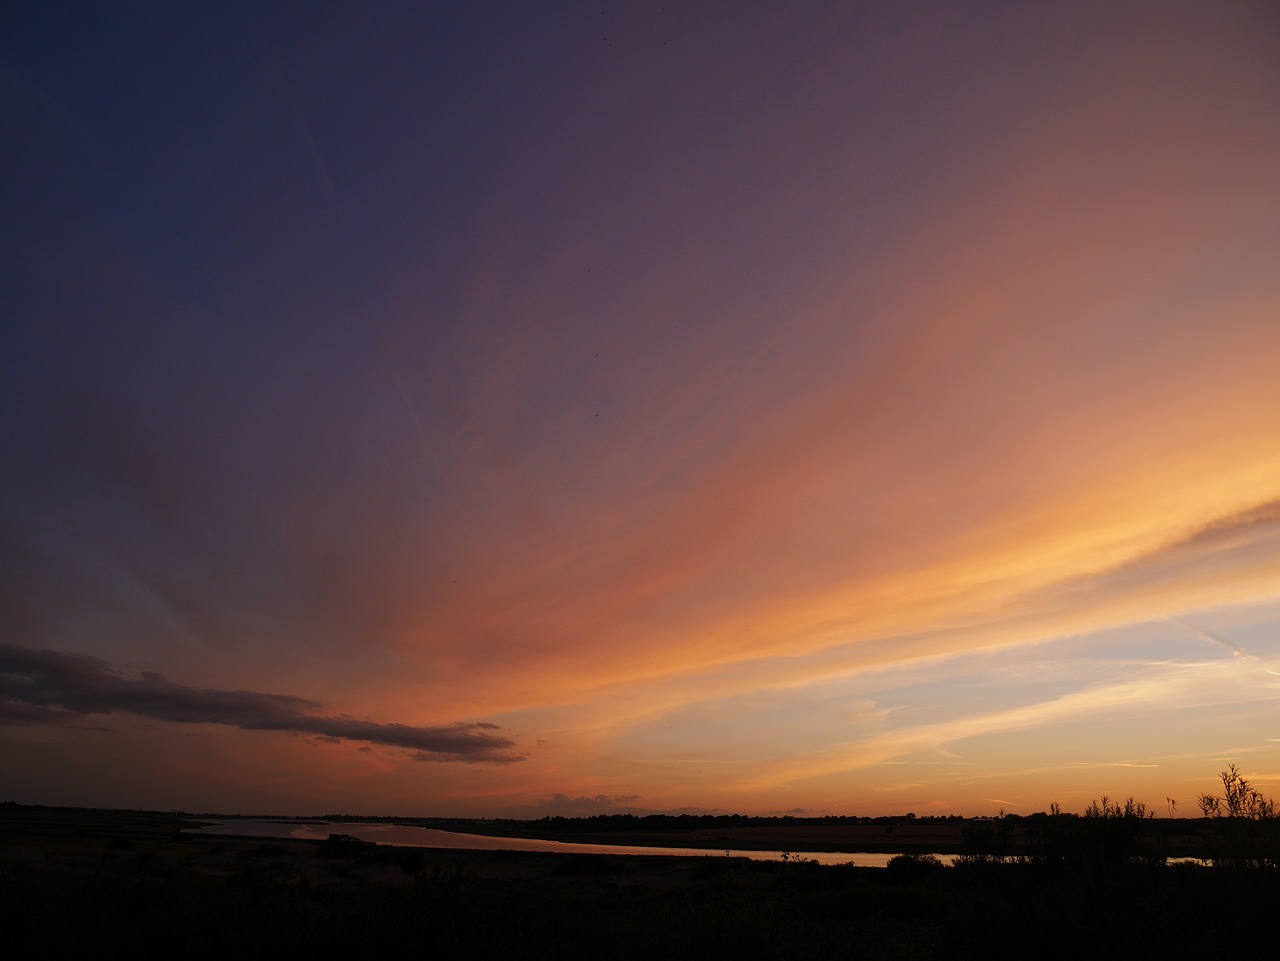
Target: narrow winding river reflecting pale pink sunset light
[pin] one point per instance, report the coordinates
(431, 838)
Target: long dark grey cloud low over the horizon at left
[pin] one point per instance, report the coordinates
(49, 687)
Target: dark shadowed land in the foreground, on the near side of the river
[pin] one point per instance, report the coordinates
(130, 885)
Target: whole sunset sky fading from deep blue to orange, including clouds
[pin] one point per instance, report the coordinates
(508, 410)
